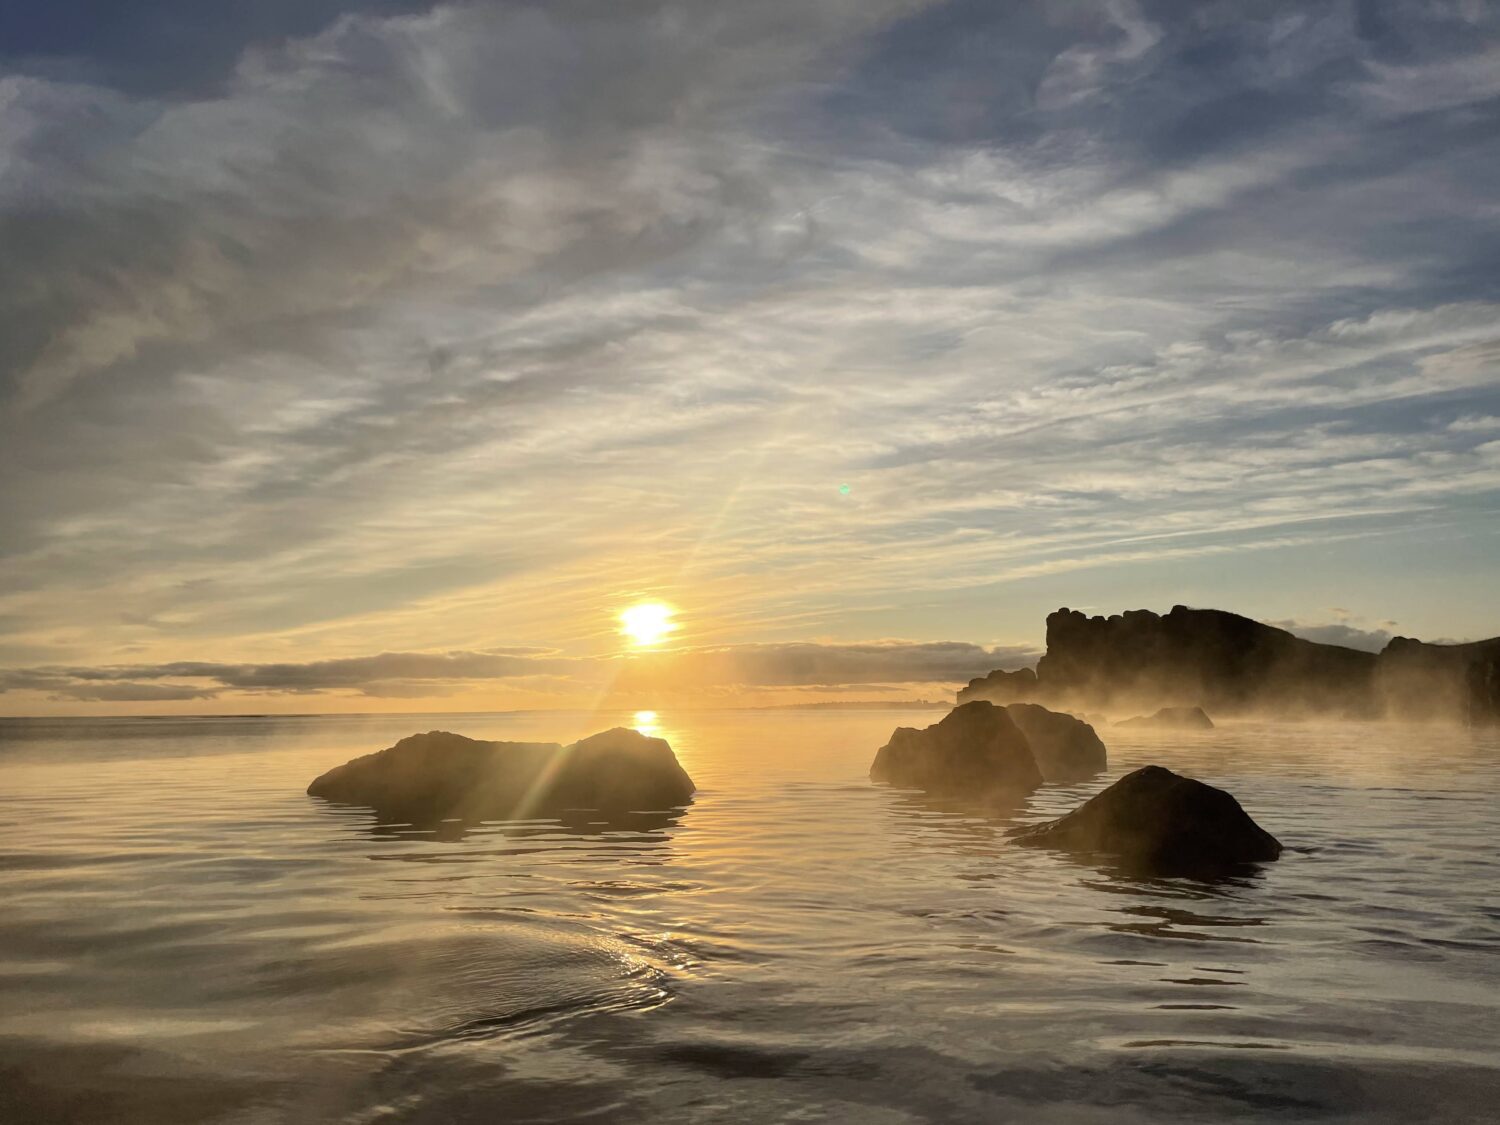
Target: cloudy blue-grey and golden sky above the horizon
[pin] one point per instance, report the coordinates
(376, 356)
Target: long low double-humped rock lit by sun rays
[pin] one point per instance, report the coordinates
(439, 776)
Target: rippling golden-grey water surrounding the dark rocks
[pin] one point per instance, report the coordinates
(187, 938)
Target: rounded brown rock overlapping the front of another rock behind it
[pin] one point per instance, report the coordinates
(977, 751)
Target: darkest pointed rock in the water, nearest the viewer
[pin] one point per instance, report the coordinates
(1162, 823)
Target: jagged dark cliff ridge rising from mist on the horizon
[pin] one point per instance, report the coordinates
(1232, 665)
